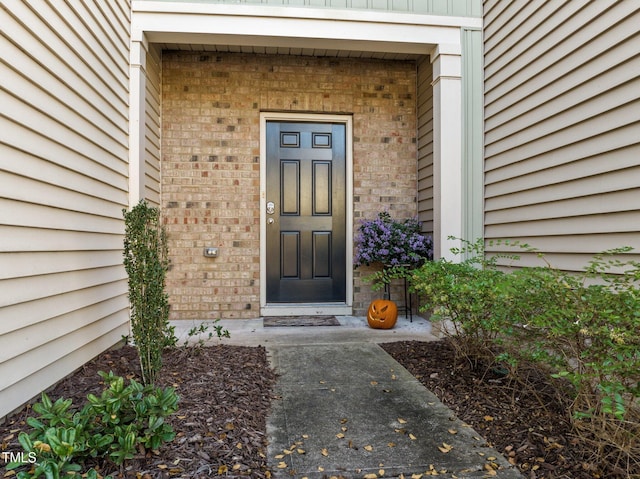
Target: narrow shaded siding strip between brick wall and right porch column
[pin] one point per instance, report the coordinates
(425, 144)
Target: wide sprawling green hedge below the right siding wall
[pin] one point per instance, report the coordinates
(578, 327)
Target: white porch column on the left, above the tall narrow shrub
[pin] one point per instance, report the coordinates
(137, 101)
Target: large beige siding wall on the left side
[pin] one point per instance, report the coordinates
(63, 171)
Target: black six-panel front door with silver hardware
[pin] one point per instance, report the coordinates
(305, 212)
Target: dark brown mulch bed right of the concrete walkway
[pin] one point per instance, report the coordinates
(524, 420)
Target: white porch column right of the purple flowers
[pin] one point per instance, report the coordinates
(447, 148)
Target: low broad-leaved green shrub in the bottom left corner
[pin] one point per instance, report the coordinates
(113, 426)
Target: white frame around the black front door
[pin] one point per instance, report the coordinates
(295, 309)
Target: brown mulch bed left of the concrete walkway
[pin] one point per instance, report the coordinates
(225, 395)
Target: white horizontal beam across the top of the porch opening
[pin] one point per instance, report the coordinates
(168, 22)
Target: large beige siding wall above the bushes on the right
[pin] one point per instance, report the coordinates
(562, 126)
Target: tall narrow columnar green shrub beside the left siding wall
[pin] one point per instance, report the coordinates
(146, 263)
